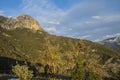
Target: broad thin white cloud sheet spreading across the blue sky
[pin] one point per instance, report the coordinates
(89, 17)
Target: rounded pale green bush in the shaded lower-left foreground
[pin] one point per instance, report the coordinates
(22, 72)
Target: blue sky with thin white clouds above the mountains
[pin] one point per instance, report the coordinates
(85, 19)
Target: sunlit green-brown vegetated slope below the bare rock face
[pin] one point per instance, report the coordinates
(59, 54)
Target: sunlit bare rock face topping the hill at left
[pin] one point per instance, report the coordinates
(22, 21)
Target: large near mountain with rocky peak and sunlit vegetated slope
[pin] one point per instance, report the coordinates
(23, 40)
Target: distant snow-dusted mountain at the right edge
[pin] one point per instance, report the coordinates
(113, 42)
